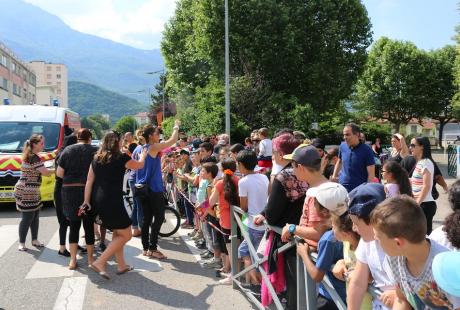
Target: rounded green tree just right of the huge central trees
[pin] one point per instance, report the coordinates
(391, 86)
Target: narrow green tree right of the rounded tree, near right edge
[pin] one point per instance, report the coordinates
(442, 87)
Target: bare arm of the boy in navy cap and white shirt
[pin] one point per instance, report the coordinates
(358, 286)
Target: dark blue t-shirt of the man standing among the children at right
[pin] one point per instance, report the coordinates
(354, 164)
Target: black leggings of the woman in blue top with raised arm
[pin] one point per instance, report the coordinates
(153, 206)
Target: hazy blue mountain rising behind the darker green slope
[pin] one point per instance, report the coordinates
(34, 34)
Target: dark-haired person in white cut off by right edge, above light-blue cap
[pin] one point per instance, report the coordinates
(448, 234)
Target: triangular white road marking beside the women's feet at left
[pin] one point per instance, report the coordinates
(50, 264)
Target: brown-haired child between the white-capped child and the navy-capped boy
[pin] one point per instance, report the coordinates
(342, 226)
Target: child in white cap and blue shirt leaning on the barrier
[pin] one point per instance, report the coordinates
(330, 199)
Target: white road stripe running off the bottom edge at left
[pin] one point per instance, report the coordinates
(72, 294)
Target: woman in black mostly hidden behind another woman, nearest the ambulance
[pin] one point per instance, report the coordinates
(63, 222)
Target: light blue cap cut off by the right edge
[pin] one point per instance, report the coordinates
(446, 272)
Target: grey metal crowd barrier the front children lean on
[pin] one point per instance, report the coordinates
(306, 286)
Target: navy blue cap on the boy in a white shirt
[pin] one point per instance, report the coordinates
(364, 198)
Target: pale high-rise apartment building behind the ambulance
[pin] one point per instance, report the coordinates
(51, 82)
